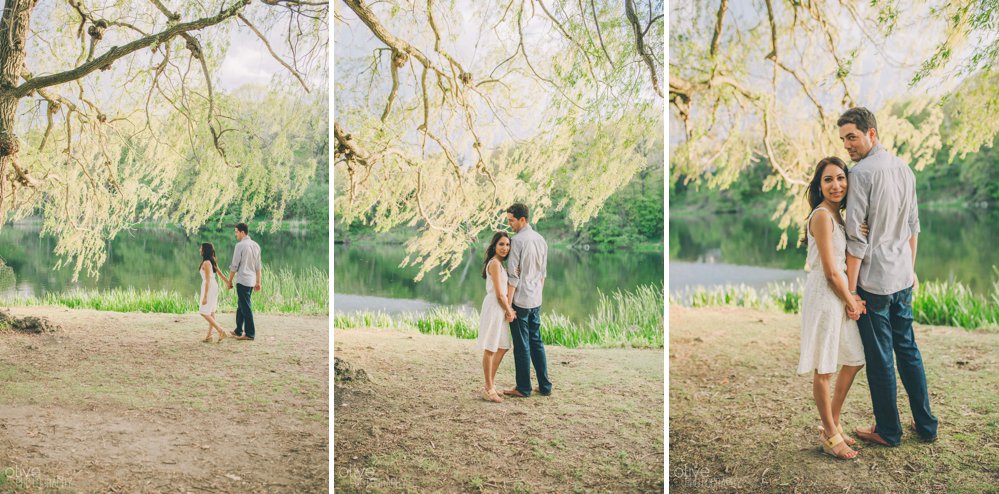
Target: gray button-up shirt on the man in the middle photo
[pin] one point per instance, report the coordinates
(527, 267)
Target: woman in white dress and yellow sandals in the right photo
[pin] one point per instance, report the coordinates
(829, 335)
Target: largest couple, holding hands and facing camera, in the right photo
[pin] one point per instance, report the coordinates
(857, 306)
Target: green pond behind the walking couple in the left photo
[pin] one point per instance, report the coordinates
(153, 258)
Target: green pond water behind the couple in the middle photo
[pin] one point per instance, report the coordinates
(574, 277)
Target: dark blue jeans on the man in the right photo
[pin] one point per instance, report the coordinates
(887, 328)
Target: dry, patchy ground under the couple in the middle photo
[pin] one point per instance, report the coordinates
(420, 424)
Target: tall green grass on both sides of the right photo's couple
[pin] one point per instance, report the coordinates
(938, 303)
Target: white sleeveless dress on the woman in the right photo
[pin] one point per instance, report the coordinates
(829, 338)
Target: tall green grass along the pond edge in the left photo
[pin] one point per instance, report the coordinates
(283, 292)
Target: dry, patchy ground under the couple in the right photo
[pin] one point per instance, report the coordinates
(742, 421)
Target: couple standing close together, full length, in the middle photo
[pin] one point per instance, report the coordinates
(511, 309)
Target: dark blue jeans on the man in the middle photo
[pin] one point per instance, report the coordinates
(527, 348)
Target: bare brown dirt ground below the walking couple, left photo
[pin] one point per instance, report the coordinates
(134, 402)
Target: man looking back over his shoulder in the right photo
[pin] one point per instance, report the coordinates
(881, 272)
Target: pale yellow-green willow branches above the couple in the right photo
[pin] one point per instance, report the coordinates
(766, 81)
